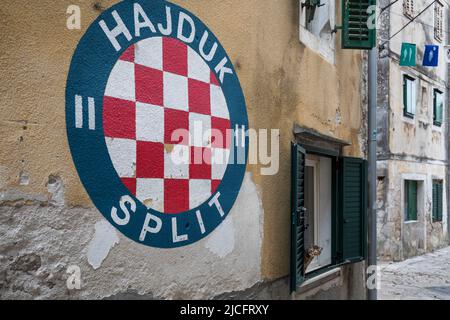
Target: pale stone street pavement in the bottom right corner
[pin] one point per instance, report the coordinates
(422, 278)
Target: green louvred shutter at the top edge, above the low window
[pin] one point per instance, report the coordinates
(355, 31)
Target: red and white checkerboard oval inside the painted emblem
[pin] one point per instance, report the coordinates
(157, 86)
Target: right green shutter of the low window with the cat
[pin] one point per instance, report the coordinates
(353, 208)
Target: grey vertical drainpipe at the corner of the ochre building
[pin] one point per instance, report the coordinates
(372, 212)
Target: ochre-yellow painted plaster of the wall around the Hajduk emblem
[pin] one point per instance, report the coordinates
(284, 83)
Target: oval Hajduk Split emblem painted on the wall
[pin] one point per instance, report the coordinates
(156, 121)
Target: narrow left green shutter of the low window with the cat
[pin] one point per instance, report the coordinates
(297, 216)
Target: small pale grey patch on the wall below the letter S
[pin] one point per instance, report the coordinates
(104, 240)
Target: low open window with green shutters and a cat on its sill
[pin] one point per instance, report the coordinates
(329, 205)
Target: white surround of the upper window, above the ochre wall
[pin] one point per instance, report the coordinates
(325, 48)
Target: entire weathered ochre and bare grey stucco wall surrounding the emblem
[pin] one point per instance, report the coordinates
(47, 220)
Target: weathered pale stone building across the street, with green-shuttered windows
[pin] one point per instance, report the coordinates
(413, 132)
